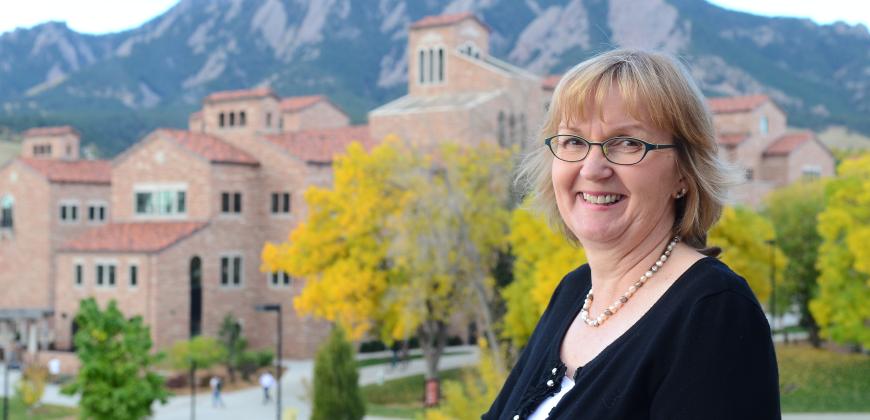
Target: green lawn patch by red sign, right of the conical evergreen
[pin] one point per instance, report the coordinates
(401, 398)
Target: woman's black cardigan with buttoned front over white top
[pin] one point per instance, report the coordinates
(703, 351)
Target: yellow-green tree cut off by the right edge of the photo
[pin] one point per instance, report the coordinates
(842, 307)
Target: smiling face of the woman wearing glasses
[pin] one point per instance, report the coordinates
(644, 191)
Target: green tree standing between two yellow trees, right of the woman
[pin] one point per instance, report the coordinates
(794, 212)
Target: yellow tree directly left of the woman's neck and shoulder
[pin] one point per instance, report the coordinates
(543, 257)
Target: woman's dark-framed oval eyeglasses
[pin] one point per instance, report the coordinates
(620, 150)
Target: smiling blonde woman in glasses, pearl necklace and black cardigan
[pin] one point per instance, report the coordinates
(653, 326)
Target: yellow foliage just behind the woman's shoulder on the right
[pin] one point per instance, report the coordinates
(745, 238)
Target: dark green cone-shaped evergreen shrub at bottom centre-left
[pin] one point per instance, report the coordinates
(336, 381)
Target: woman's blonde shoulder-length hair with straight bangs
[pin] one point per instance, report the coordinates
(656, 89)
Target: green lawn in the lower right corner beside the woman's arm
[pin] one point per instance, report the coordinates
(813, 380)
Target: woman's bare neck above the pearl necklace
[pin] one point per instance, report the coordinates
(616, 266)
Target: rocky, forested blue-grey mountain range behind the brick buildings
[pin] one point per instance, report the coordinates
(117, 87)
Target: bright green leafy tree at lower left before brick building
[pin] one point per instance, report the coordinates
(116, 379)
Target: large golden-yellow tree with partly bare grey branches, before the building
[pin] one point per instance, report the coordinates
(402, 242)
